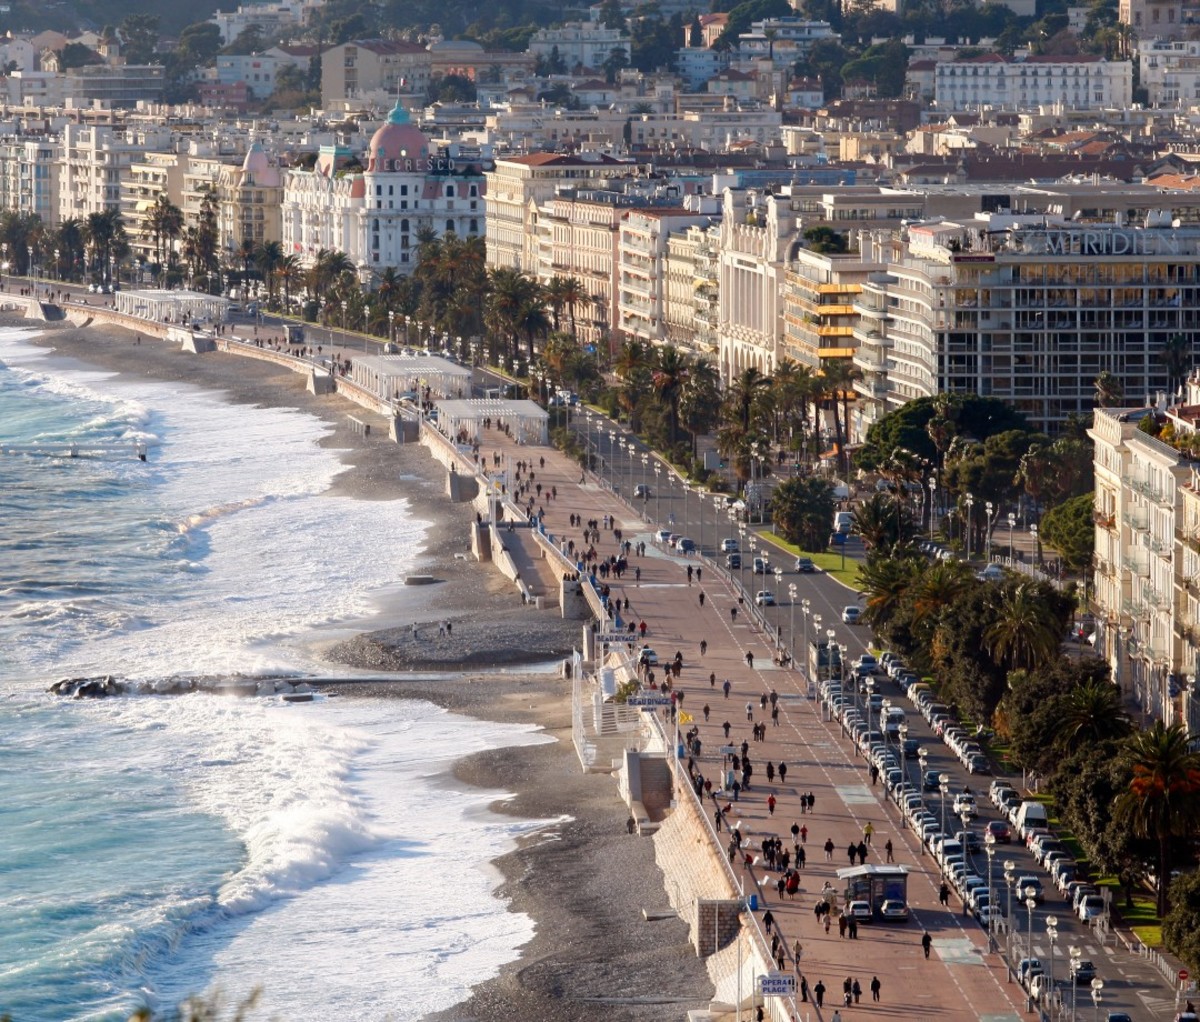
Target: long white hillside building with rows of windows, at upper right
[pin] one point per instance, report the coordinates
(1082, 83)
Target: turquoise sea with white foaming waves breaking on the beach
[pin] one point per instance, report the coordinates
(159, 847)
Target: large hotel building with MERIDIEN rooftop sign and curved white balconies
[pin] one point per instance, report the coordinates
(1028, 309)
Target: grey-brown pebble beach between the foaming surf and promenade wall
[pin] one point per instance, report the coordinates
(583, 880)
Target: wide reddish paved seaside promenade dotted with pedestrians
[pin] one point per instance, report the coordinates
(959, 981)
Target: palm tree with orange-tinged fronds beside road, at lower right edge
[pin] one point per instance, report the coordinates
(1165, 793)
